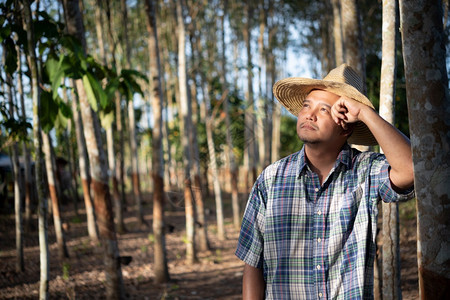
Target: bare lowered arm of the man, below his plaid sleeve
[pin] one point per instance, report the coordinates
(253, 285)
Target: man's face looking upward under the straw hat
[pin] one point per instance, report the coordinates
(315, 124)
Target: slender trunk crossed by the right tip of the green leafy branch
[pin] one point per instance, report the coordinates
(132, 127)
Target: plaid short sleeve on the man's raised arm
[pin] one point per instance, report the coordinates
(380, 178)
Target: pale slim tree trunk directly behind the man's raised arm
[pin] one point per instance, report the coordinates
(391, 255)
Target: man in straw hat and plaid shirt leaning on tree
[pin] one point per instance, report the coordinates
(308, 231)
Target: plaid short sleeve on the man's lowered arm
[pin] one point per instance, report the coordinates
(251, 243)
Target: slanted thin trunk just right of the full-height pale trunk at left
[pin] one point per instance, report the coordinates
(56, 211)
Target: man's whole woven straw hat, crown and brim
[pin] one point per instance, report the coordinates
(342, 81)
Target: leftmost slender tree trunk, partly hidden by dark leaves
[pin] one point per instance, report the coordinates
(17, 182)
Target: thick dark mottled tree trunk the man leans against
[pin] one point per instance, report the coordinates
(428, 97)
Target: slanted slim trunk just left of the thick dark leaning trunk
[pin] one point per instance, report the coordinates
(83, 162)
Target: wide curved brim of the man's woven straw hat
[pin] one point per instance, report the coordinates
(291, 92)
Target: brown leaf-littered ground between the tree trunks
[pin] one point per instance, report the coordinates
(217, 275)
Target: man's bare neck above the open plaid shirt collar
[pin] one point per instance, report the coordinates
(321, 159)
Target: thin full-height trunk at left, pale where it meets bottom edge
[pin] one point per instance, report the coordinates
(42, 200)
